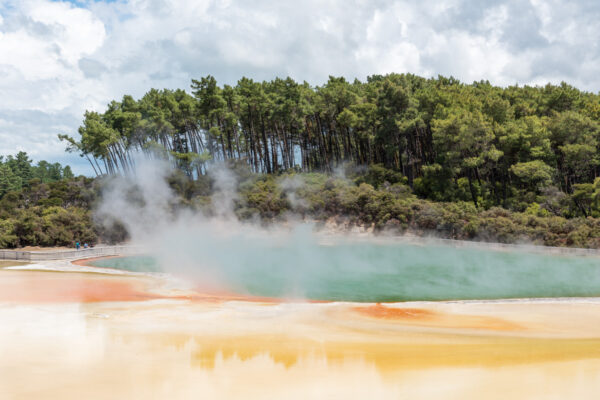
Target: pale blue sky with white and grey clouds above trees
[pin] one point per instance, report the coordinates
(59, 58)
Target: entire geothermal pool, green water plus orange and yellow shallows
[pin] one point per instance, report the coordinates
(147, 328)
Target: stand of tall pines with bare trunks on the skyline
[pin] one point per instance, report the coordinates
(451, 141)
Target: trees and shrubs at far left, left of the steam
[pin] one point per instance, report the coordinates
(43, 204)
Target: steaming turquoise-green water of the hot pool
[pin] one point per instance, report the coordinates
(368, 272)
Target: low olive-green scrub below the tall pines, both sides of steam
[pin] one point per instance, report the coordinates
(376, 199)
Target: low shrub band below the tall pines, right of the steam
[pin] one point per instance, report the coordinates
(393, 209)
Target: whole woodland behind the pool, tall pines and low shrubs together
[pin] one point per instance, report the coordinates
(397, 153)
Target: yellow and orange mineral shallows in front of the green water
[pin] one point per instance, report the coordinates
(162, 344)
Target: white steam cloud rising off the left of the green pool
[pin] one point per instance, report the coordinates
(210, 249)
